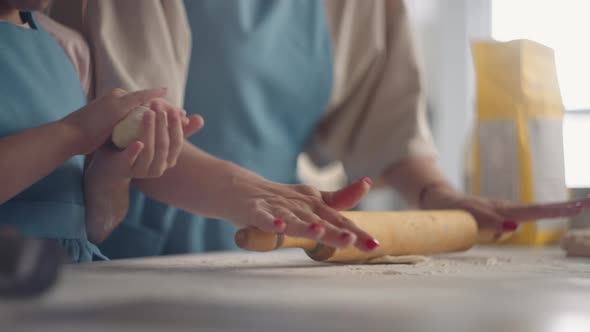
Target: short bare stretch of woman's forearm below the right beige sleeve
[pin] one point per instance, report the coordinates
(411, 177)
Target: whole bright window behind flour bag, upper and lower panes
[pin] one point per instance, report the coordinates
(564, 26)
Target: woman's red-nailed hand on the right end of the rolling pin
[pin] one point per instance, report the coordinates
(497, 217)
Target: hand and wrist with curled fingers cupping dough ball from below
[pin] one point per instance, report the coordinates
(110, 171)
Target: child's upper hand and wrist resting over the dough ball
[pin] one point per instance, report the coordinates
(93, 123)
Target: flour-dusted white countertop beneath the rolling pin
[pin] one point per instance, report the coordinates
(485, 289)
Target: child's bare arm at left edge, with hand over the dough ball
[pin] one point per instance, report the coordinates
(32, 154)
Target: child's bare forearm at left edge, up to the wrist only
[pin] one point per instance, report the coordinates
(32, 154)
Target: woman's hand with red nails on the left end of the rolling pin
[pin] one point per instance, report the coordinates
(303, 211)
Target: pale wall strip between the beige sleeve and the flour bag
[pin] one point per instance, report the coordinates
(444, 30)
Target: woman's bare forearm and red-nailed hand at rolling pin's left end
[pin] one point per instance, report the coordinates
(214, 188)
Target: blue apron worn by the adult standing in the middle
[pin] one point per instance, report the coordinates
(261, 76)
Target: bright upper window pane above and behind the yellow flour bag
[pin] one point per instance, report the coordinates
(560, 24)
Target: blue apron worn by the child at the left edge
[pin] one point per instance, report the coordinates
(39, 85)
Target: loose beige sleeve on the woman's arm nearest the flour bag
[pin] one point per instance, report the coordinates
(376, 117)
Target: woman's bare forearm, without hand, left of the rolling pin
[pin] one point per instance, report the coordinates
(199, 183)
